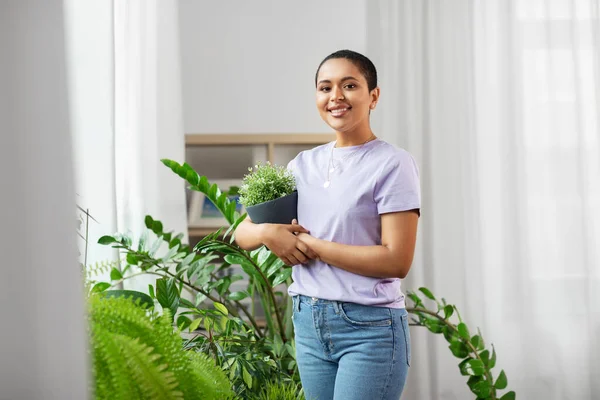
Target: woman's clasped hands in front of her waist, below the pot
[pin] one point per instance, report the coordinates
(282, 240)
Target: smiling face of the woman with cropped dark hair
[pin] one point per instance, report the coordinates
(343, 97)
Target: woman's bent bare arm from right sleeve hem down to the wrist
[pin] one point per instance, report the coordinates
(392, 259)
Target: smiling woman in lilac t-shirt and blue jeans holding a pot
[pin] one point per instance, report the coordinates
(358, 209)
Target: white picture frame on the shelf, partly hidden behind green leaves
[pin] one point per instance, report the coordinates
(202, 213)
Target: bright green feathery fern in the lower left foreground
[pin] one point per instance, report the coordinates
(138, 355)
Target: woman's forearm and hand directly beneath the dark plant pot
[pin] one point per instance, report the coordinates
(280, 239)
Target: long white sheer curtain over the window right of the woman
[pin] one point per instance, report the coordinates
(499, 102)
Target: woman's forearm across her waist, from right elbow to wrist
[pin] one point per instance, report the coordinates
(373, 261)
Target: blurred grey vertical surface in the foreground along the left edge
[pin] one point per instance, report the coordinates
(42, 336)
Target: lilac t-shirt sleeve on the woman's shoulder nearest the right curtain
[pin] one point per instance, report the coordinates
(397, 187)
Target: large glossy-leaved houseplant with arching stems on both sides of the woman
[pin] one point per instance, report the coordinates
(255, 355)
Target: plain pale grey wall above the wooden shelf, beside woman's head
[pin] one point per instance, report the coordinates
(248, 67)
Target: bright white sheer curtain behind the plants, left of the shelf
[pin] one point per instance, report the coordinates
(125, 75)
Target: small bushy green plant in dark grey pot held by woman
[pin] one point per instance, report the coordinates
(269, 194)
